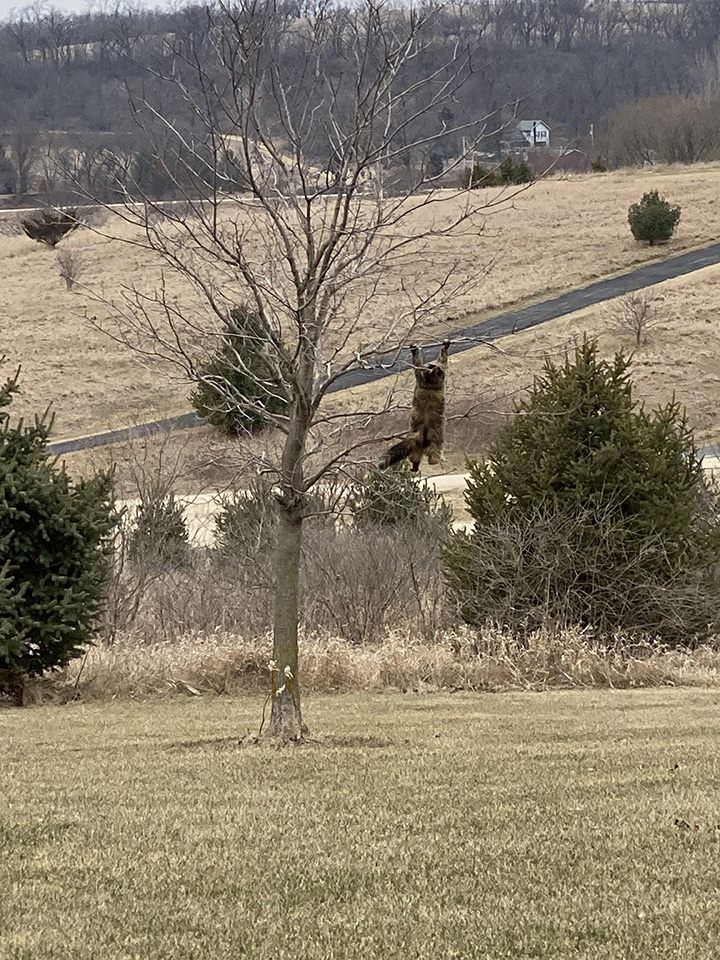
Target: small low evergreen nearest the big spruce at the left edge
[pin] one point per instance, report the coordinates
(159, 533)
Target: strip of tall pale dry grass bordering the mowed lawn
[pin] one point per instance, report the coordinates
(491, 660)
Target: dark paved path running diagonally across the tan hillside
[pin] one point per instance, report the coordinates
(501, 325)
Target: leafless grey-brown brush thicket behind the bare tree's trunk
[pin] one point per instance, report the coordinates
(358, 584)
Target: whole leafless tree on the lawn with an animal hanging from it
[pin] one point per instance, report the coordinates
(287, 155)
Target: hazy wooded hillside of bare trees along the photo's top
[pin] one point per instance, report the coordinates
(64, 79)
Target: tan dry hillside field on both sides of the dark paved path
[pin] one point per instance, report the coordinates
(557, 235)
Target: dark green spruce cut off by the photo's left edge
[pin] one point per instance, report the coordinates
(55, 542)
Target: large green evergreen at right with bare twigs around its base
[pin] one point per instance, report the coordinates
(590, 511)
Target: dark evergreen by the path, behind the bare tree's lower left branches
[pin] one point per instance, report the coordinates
(238, 387)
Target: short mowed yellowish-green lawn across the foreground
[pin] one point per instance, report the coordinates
(574, 824)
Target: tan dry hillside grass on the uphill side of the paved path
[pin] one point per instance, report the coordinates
(558, 235)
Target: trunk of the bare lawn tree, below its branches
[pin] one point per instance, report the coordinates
(286, 717)
